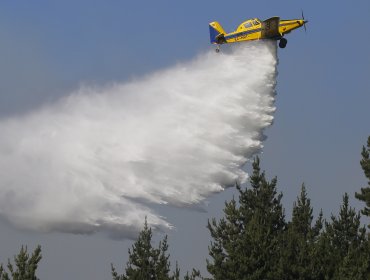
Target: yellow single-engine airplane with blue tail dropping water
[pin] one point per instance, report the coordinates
(254, 29)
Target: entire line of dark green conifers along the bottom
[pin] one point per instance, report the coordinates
(253, 240)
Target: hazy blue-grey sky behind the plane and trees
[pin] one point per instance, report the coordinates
(48, 49)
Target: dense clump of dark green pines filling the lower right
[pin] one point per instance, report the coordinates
(253, 240)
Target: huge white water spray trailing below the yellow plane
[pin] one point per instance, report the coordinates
(92, 161)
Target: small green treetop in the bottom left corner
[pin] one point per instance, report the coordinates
(25, 266)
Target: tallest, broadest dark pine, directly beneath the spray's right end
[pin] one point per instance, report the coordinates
(246, 242)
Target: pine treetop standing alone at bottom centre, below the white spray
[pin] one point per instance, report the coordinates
(146, 262)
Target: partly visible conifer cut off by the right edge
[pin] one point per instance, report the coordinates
(364, 195)
